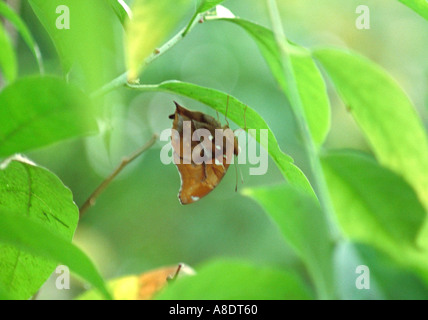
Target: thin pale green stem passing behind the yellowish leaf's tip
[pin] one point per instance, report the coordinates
(123, 78)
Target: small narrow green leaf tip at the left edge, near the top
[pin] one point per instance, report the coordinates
(8, 64)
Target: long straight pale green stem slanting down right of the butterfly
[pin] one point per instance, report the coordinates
(312, 153)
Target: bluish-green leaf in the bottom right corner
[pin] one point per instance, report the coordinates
(387, 279)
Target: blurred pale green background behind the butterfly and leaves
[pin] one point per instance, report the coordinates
(138, 224)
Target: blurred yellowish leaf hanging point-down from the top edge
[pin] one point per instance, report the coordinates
(152, 21)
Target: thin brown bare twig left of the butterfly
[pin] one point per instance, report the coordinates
(125, 161)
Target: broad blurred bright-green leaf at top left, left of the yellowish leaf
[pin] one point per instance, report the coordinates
(85, 44)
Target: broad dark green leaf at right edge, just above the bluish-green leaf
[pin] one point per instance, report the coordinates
(373, 205)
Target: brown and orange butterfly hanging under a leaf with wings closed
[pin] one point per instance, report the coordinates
(202, 159)
